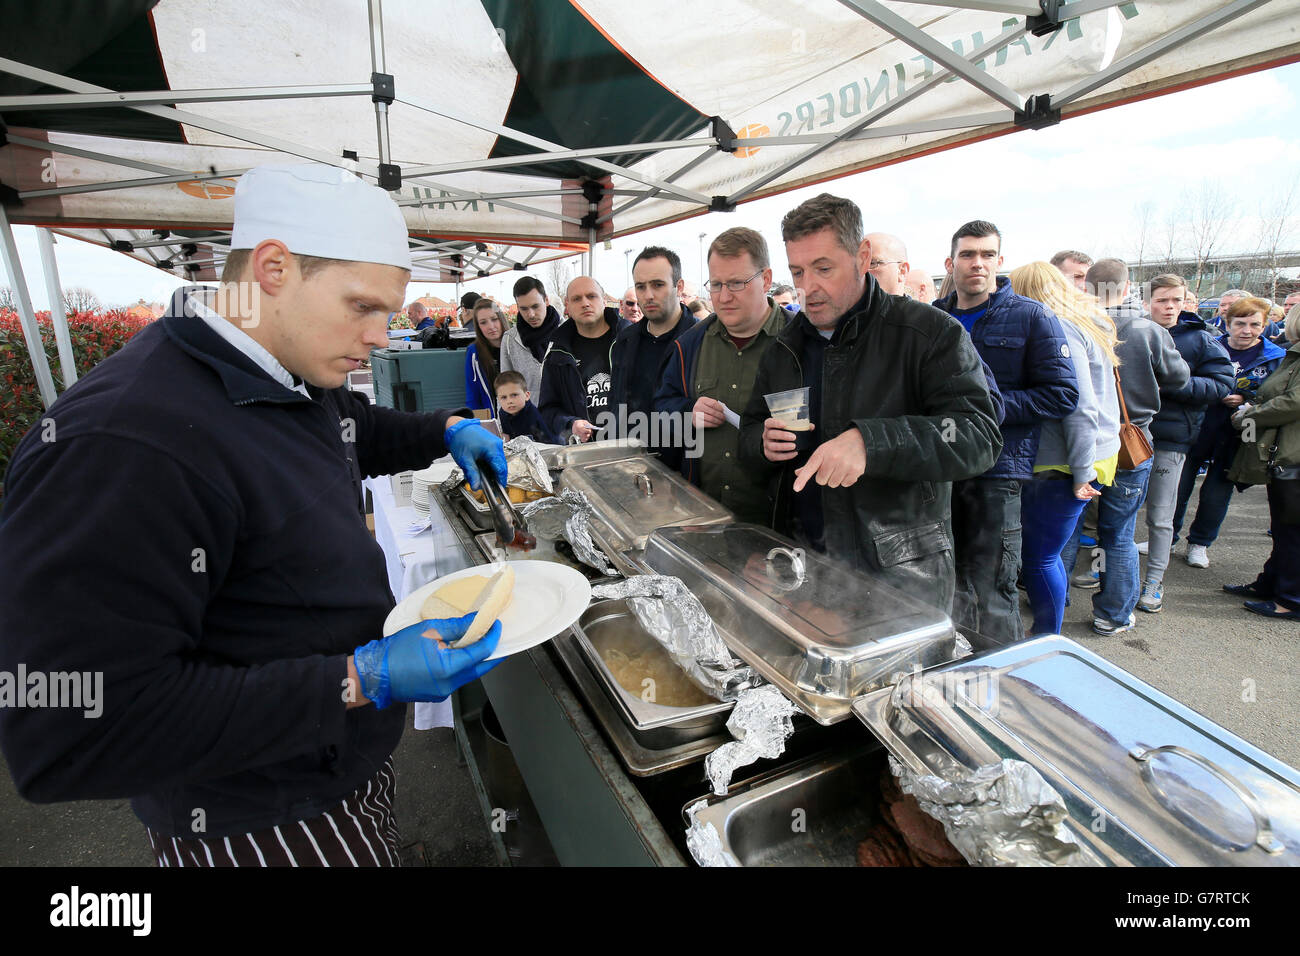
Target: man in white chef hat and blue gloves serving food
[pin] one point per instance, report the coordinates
(188, 534)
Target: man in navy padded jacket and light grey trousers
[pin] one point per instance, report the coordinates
(1176, 426)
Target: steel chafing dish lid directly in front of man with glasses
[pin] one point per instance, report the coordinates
(635, 495)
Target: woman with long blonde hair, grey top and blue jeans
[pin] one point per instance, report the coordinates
(1077, 455)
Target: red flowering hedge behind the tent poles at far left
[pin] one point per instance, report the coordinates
(96, 336)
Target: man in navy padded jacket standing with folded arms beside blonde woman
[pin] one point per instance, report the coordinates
(1025, 347)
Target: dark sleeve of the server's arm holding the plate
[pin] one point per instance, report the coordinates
(122, 592)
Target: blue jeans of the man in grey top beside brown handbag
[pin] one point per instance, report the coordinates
(1117, 518)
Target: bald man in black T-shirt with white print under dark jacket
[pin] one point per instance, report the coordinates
(577, 370)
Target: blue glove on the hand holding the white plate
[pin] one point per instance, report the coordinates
(408, 667)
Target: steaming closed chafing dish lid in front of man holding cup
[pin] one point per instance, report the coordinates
(821, 631)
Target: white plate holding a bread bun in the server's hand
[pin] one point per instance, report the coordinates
(548, 600)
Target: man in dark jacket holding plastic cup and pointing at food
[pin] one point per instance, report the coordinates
(900, 409)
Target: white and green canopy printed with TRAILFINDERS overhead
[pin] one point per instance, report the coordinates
(514, 132)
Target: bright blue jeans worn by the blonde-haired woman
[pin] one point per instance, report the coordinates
(1050, 514)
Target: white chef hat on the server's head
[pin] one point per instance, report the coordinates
(320, 211)
